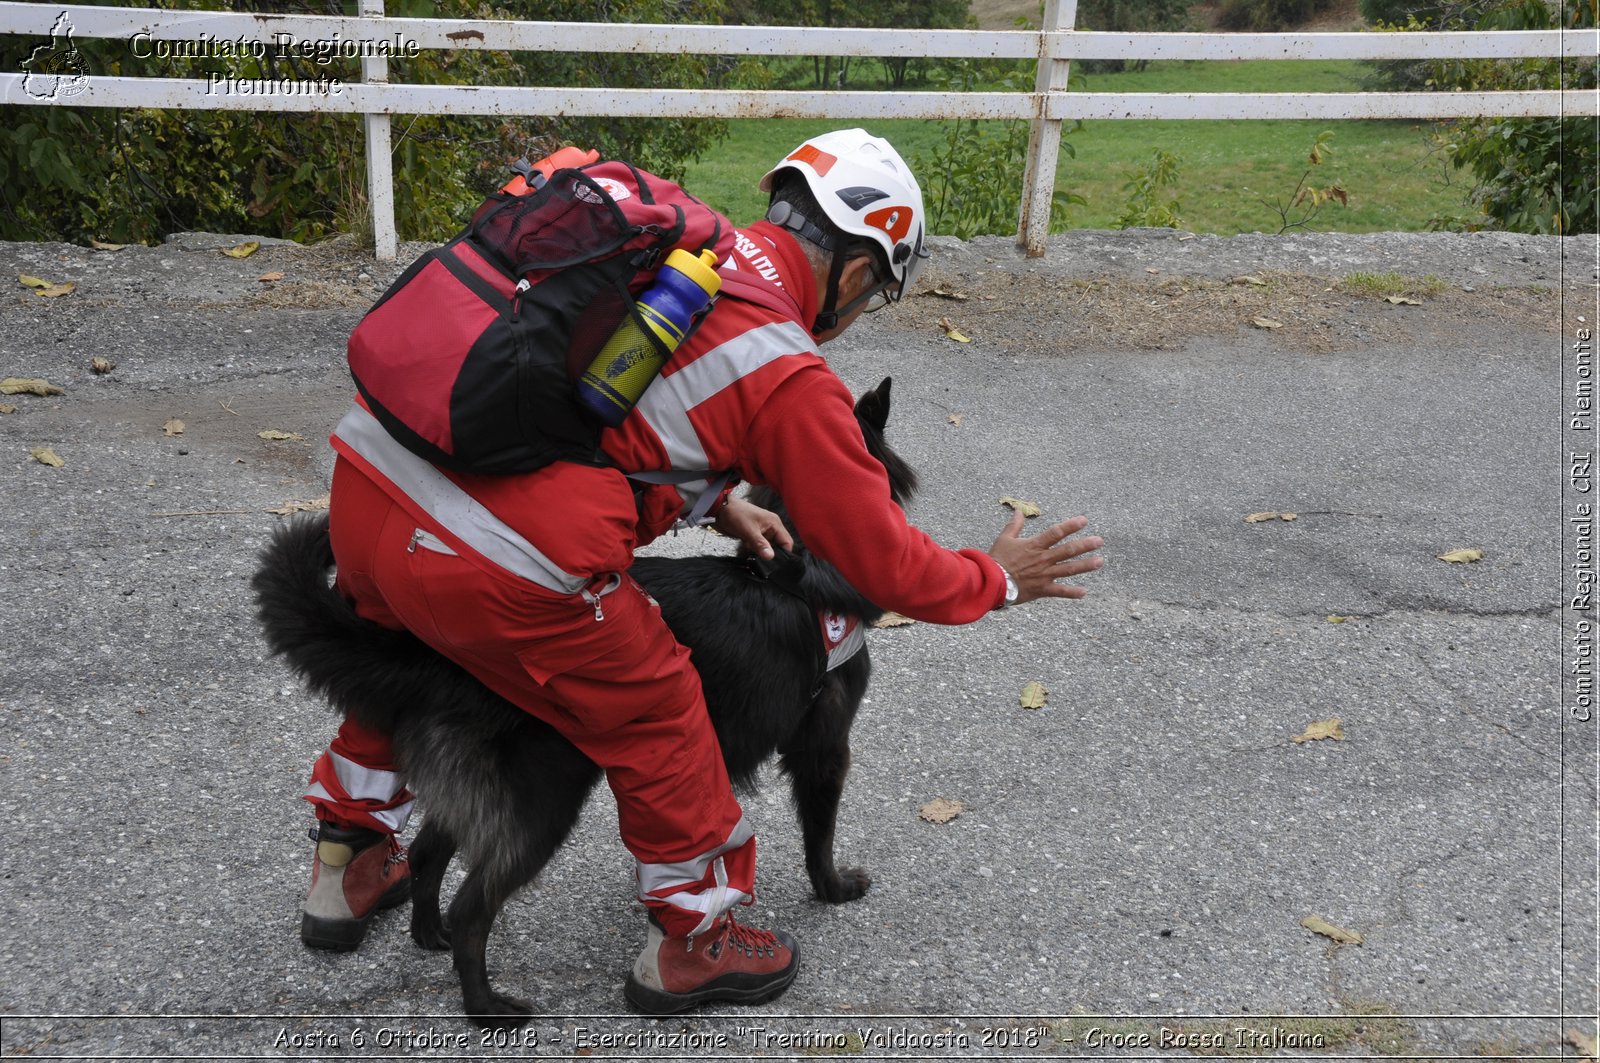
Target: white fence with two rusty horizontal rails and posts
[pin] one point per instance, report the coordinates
(1047, 106)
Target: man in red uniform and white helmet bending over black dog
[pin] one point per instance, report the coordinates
(522, 579)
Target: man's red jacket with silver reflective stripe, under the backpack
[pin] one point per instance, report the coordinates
(750, 395)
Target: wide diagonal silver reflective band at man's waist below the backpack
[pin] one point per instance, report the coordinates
(452, 507)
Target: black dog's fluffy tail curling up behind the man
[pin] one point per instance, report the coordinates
(362, 670)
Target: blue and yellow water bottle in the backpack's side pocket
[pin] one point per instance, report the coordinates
(631, 359)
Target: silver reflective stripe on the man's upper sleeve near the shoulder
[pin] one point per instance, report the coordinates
(668, 401)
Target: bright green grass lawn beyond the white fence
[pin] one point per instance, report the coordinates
(1231, 177)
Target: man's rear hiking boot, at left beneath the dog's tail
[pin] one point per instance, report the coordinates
(358, 872)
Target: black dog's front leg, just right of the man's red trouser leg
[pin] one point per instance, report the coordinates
(817, 763)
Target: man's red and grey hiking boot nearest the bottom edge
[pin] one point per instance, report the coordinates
(730, 963)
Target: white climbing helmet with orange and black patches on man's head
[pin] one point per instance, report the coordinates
(868, 191)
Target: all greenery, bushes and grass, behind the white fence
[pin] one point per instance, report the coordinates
(84, 174)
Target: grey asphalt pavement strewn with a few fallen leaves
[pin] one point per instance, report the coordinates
(1134, 862)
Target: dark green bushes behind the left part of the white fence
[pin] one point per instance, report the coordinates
(135, 175)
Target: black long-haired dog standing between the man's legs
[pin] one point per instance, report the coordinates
(506, 788)
